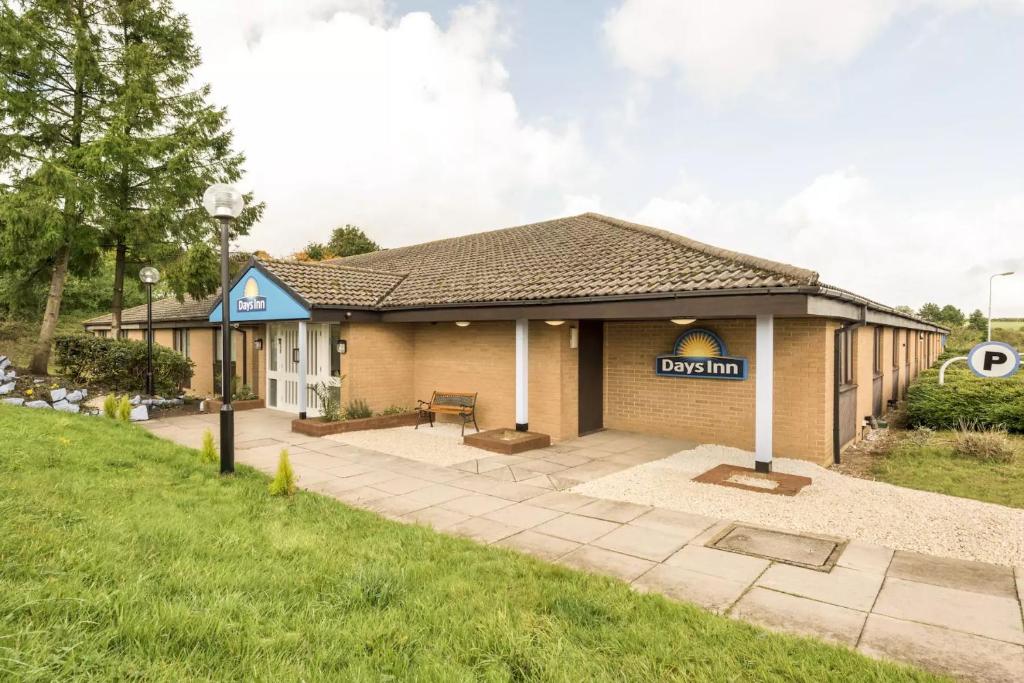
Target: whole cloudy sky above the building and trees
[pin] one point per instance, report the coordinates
(879, 143)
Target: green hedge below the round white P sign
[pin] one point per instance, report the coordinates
(965, 397)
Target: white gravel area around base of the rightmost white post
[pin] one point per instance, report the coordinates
(835, 504)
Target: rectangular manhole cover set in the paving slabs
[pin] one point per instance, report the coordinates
(806, 551)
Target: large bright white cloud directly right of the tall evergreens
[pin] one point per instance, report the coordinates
(351, 115)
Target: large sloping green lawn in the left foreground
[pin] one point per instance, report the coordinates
(122, 558)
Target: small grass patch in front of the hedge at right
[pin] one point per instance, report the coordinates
(935, 467)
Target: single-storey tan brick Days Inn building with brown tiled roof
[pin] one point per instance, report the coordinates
(568, 326)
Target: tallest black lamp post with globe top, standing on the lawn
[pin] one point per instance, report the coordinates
(225, 203)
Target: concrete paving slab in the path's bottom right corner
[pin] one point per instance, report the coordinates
(934, 649)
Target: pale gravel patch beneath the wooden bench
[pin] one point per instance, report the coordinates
(442, 446)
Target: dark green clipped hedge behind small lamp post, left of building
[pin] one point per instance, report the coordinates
(120, 364)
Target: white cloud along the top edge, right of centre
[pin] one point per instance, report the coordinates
(722, 50)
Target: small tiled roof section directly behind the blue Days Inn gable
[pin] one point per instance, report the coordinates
(322, 284)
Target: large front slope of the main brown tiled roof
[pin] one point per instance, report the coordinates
(581, 257)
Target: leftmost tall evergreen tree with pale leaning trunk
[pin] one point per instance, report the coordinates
(52, 93)
